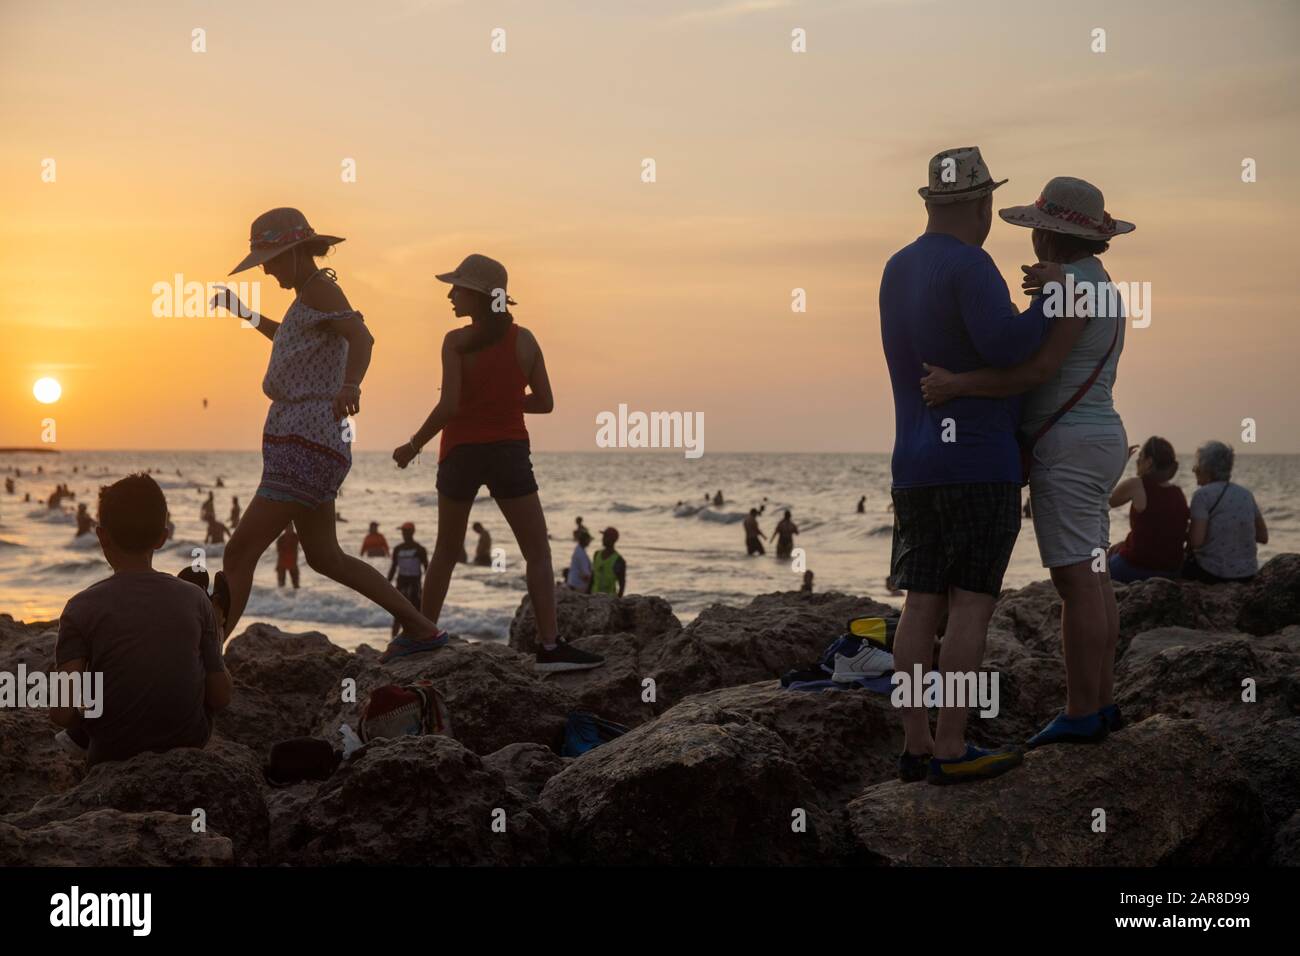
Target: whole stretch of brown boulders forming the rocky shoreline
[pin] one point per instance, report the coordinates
(722, 767)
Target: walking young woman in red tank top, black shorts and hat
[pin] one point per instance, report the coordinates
(493, 374)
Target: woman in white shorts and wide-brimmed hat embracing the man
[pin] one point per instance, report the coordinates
(1077, 440)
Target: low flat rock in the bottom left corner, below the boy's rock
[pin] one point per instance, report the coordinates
(112, 838)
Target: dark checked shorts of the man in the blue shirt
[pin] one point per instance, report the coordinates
(955, 537)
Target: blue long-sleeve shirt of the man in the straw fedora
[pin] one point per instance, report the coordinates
(944, 302)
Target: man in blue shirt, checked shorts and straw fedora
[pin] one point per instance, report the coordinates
(956, 469)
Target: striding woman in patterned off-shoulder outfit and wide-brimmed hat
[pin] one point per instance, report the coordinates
(319, 356)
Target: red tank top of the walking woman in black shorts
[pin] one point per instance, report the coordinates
(492, 399)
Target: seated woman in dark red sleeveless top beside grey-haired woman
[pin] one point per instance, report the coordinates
(1158, 518)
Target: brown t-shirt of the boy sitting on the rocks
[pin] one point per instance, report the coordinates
(155, 641)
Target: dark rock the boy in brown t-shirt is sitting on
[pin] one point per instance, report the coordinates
(223, 780)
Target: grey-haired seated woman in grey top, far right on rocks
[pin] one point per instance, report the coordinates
(1227, 524)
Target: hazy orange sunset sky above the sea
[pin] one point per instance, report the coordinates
(774, 171)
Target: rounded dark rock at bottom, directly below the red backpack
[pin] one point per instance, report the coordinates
(415, 802)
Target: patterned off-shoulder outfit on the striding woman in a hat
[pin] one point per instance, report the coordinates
(305, 451)
